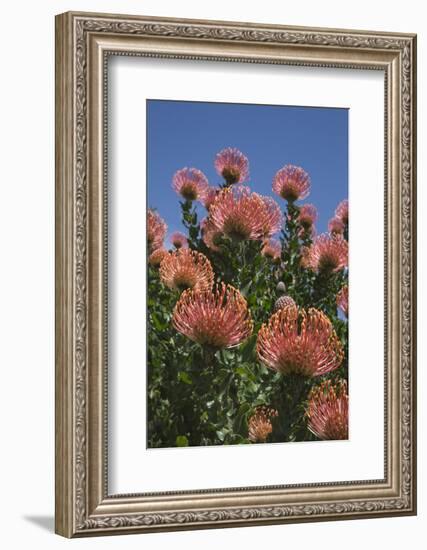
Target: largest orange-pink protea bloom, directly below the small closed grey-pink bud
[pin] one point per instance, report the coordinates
(295, 341)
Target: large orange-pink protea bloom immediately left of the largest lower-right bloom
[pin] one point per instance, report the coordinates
(216, 319)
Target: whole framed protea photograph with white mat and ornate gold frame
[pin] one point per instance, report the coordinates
(235, 274)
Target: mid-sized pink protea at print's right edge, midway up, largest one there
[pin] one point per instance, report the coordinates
(328, 253)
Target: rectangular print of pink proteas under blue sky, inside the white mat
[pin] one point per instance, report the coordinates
(247, 237)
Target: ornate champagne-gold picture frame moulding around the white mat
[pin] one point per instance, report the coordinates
(83, 42)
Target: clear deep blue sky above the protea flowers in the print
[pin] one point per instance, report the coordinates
(181, 133)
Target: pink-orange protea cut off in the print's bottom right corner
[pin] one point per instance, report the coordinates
(327, 411)
